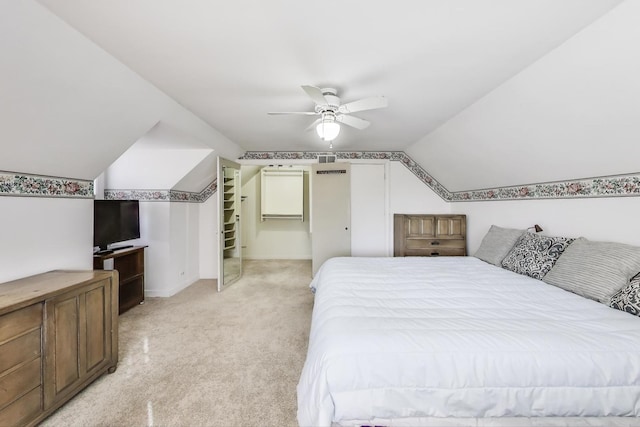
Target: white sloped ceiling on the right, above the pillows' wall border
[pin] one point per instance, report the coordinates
(575, 113)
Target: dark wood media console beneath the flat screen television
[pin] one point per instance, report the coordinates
(130, 265)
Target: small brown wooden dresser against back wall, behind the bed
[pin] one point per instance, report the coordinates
(429, 235)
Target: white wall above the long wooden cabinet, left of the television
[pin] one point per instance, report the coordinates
(42, 234)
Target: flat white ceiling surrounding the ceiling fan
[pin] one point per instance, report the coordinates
(231, 62)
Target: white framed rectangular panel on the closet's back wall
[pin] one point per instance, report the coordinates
(282, 194)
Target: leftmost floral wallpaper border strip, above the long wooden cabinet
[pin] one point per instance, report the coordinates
(14, 184)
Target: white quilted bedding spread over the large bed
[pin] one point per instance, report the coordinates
(395, 338)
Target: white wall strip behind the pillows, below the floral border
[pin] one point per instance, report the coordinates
(607, 219)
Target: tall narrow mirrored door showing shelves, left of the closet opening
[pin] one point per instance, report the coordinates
(229, 223)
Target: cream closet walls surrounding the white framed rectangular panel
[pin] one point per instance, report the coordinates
(272, 239)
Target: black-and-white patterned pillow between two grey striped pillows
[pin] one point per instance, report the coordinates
(534, 255)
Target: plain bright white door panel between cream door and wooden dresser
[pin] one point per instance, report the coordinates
(369, 225)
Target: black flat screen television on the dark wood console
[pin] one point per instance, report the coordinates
(115, 221)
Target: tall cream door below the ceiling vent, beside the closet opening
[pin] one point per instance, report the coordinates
(330, 212)
